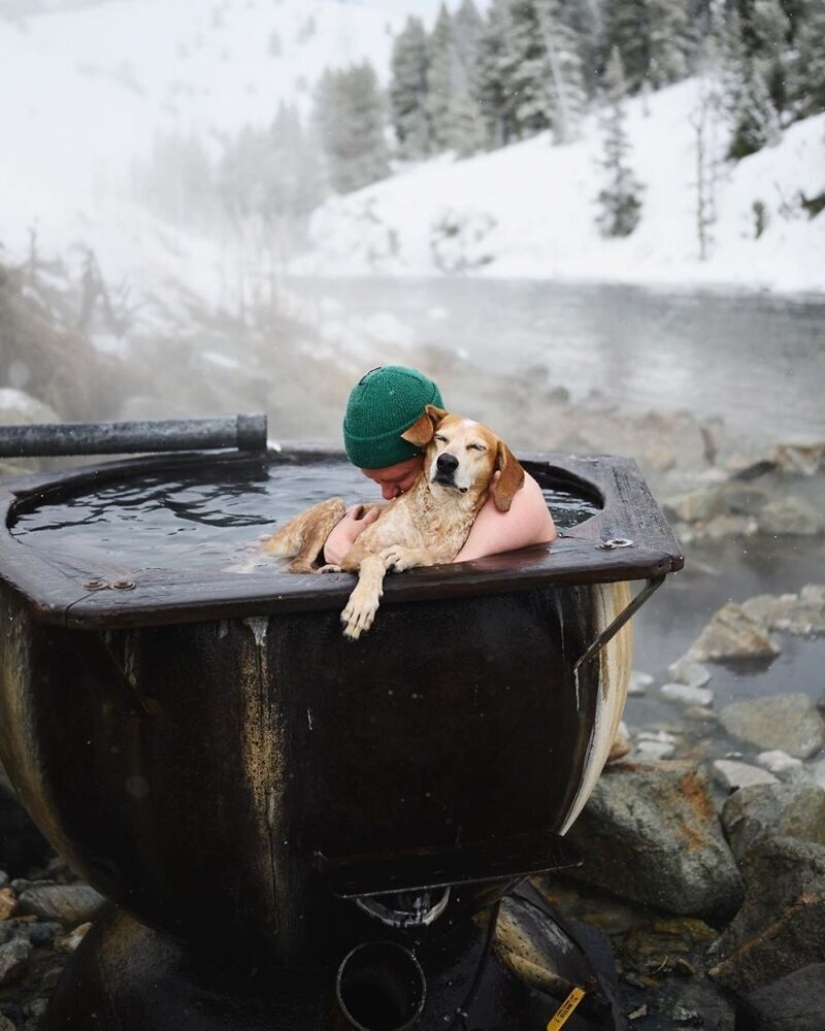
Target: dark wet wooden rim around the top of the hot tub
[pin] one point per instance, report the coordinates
(58, 594)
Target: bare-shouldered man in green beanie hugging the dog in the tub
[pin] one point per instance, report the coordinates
(382, 406)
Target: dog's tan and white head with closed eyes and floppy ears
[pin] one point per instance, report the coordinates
(466, 456)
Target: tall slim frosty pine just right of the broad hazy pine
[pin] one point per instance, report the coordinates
(409, 91)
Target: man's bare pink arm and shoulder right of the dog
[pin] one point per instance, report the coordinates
(529, 522)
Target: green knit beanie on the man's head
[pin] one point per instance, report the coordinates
(382, 406)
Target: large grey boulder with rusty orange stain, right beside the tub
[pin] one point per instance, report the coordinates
(650, 834)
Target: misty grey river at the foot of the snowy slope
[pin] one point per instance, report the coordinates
(755, 360)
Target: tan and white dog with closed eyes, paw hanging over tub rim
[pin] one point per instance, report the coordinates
(425, 526)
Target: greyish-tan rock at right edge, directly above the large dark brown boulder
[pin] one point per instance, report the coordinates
(780, 810)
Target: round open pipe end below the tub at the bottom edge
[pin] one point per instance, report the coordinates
(380, 987)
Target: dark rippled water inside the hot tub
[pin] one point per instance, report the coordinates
(206, 517)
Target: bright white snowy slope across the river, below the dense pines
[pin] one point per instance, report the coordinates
(531, 211)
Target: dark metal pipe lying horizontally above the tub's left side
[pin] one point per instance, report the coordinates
(243, 433)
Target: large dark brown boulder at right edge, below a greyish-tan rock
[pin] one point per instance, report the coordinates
(781, 926)
